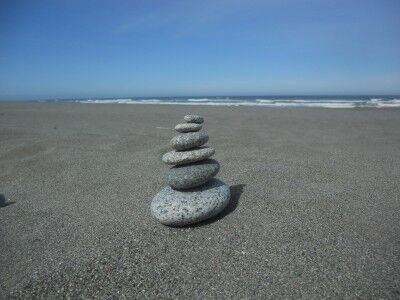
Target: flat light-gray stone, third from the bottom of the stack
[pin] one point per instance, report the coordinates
(185, 157)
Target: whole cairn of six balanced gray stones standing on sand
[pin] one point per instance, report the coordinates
(193, 194)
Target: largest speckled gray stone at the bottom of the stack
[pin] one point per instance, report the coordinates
(178, 208)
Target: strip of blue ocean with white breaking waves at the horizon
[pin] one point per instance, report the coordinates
(262, 101)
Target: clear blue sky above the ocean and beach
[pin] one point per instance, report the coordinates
(93, 48)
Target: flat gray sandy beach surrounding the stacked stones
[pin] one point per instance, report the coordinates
(315, 210)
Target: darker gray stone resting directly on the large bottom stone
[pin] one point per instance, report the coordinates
(193, 175)
